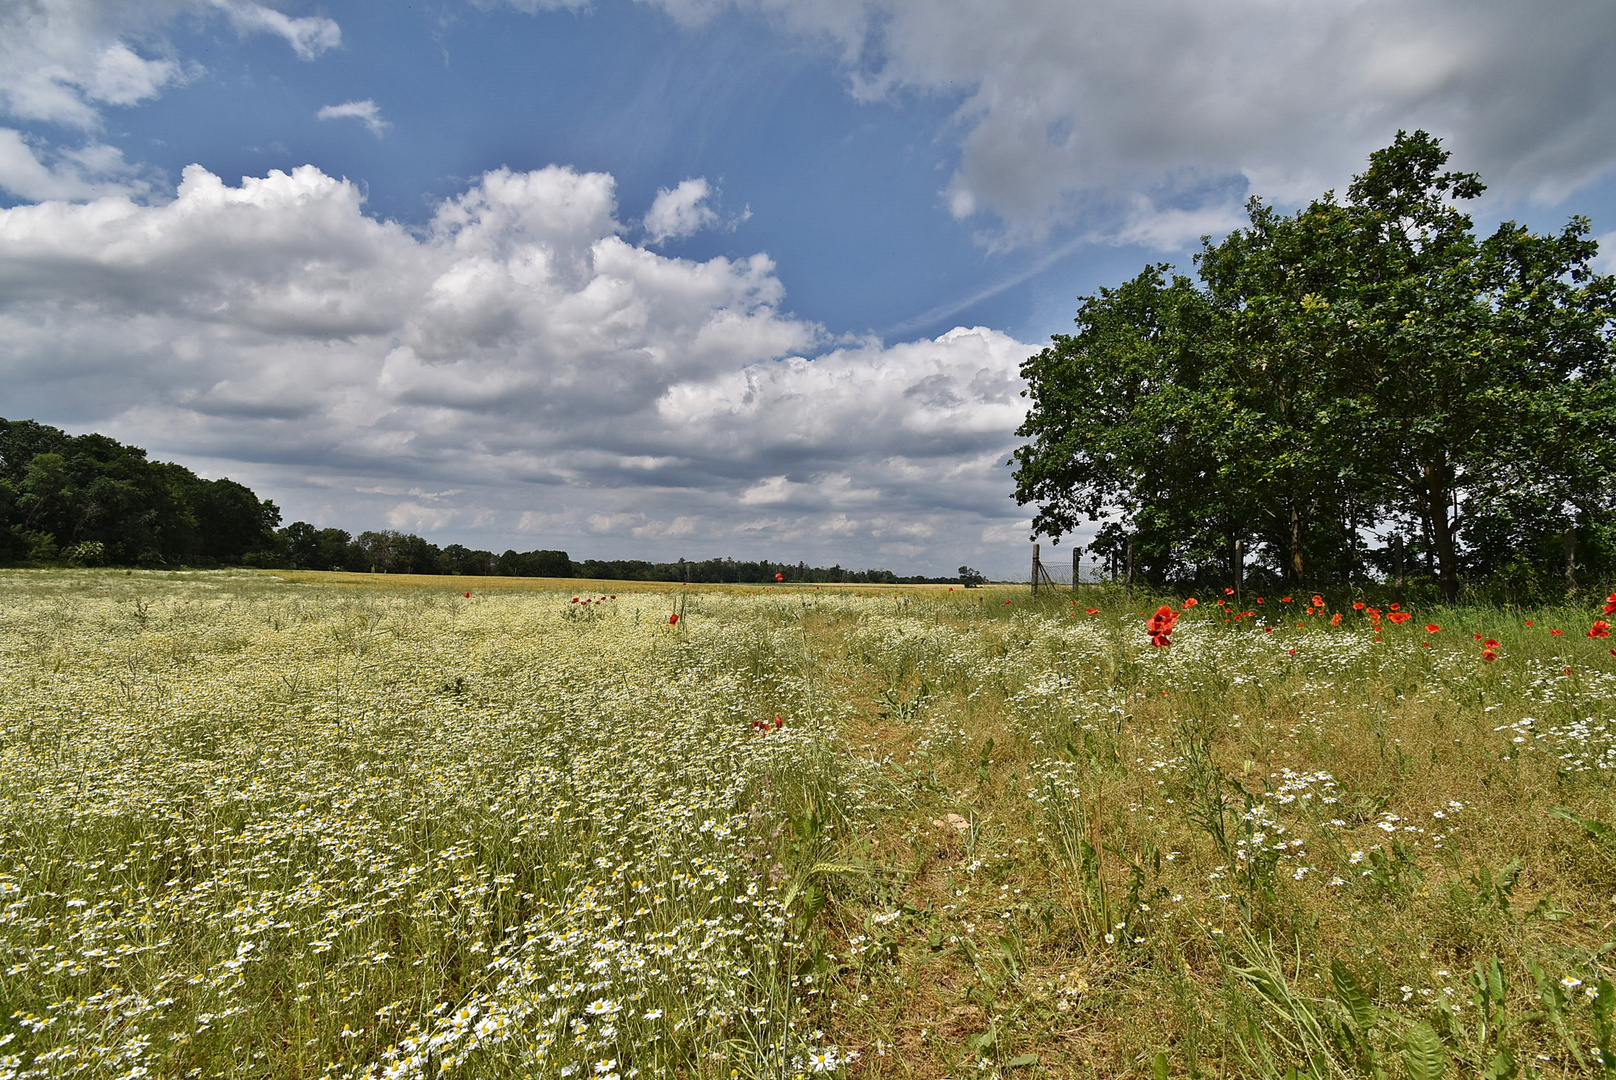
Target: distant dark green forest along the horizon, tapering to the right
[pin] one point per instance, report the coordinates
(88, 500)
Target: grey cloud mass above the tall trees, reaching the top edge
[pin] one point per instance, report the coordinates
(1066, 111)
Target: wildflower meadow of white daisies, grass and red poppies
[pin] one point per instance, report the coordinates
(329, 825)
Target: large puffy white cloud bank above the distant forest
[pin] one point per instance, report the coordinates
(516, 373)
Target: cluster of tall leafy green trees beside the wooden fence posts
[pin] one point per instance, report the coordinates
(1360, 390)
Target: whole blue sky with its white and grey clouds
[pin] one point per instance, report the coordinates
(688, 279)
